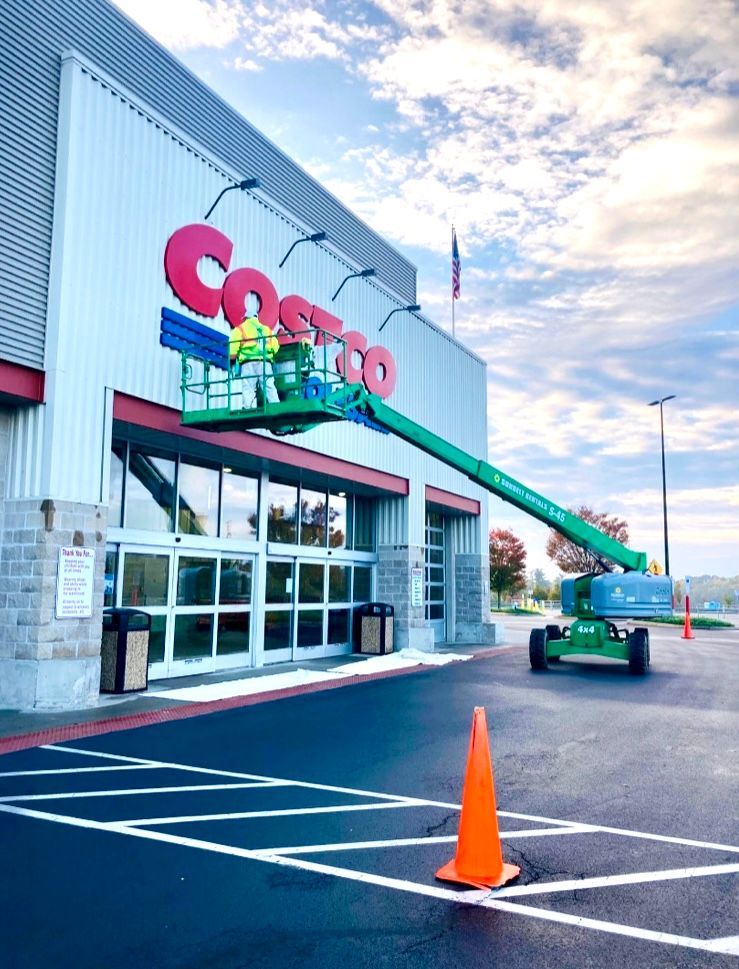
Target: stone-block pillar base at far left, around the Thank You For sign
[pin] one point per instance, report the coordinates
(47, 663)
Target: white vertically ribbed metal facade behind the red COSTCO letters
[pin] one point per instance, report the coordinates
(125, 183)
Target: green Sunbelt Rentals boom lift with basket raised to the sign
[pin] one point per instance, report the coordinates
(312, 391)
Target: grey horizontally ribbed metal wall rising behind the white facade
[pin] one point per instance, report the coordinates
(33, 33)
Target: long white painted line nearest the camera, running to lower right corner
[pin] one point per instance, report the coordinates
(477, 898)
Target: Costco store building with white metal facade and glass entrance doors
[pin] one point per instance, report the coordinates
(246, 549)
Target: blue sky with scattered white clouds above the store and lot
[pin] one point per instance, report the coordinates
(588, 155)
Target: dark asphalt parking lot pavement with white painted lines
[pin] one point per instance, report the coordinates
(307, 831)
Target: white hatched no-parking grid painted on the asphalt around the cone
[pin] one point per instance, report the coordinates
(495, 899)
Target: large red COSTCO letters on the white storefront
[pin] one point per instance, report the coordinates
(188, 245)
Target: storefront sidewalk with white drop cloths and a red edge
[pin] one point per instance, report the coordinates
(233, 688)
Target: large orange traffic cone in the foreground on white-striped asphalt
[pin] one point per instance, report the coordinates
(479, 859)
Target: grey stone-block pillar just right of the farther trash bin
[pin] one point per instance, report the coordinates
(394, 586)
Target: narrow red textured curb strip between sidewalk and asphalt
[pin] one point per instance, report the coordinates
(93, 728)
